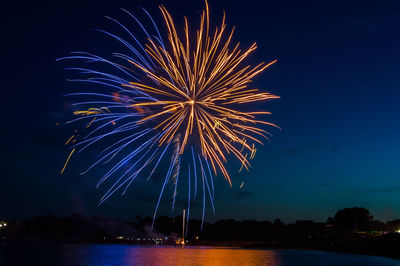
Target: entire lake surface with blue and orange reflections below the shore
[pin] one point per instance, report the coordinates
(90, 254)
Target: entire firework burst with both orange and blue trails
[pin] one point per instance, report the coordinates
(180, 101)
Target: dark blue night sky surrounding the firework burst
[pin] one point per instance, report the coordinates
(338, 75)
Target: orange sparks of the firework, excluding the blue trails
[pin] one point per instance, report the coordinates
(207, 84)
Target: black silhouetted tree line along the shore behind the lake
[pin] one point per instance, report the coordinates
(349, 230)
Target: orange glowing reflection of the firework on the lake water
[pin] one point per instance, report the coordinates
(200, 256)
